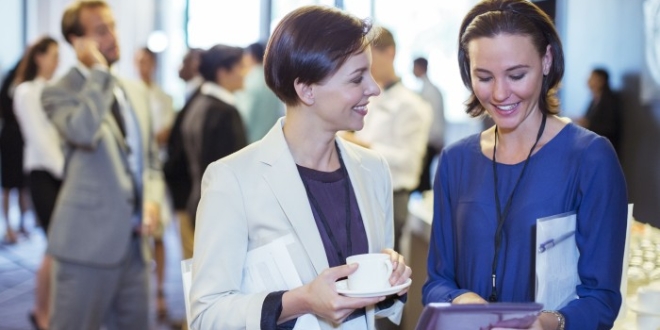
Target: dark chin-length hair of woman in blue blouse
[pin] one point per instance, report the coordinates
(490, 18)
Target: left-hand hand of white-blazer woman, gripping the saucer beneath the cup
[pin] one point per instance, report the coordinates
(320, 297)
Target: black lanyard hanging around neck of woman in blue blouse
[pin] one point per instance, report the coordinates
(501, 216)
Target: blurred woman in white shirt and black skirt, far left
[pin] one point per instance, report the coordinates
(44, 157)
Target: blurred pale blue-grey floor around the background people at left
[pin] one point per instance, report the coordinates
(18, 264)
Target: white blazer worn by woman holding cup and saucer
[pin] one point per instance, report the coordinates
(255, 196)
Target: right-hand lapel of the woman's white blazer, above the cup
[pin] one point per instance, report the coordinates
(356, 171)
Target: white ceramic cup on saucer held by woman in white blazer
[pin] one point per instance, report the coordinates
(373, 272)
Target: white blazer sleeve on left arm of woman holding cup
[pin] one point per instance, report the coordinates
(221, 245)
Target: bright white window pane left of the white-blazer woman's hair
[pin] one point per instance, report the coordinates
(235, 23)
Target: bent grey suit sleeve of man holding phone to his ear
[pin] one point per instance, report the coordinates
(78, 114)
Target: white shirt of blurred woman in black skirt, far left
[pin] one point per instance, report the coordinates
(43, 147)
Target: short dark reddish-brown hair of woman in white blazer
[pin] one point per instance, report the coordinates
(309, 44)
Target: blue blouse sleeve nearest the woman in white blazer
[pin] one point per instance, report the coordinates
(440, 285)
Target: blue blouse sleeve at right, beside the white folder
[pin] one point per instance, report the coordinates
(600, 237)
